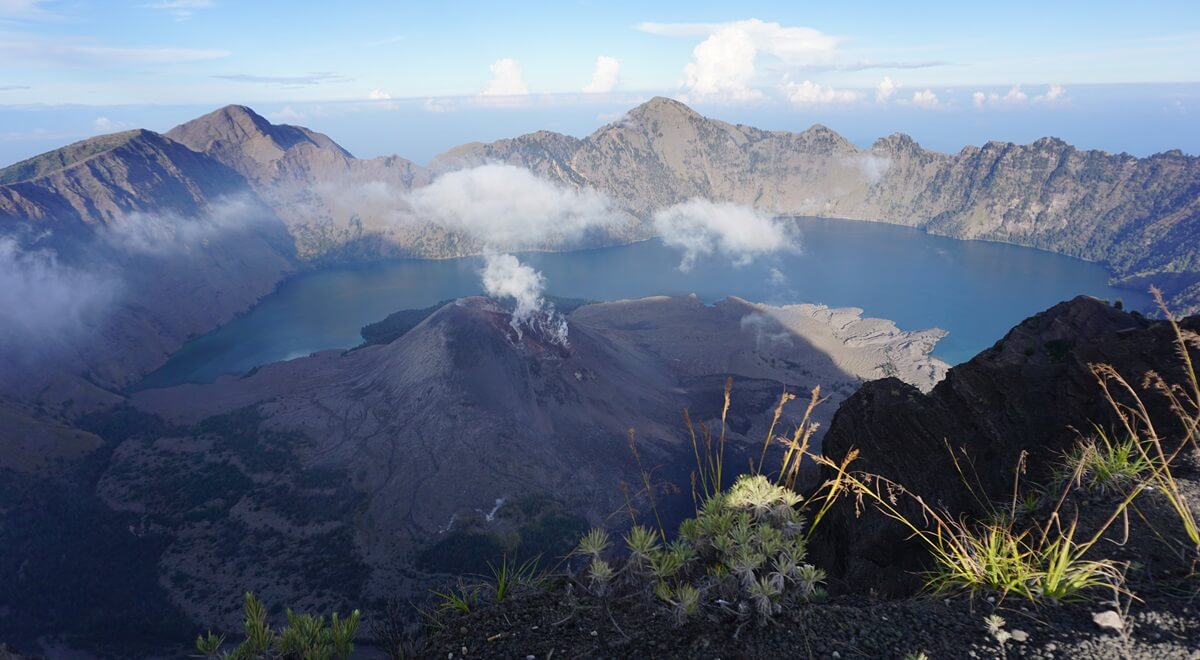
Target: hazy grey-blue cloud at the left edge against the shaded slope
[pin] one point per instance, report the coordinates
(46, 301)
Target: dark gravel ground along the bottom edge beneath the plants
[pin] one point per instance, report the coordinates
(554, 625)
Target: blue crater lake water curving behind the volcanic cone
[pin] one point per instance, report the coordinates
(975, 290)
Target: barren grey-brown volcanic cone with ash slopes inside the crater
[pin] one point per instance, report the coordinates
(445, 440)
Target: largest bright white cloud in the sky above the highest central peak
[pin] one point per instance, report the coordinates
(723, 67)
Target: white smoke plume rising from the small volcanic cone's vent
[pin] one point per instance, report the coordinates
(506, 278)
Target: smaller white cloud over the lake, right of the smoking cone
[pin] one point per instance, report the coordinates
(741, 233)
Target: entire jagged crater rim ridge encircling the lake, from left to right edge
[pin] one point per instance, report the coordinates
(1138, 217)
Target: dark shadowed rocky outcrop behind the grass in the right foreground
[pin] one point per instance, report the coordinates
(1031, 393)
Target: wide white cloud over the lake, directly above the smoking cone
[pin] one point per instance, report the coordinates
(509, 208)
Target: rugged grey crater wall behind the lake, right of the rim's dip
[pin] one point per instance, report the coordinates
(1138, 217)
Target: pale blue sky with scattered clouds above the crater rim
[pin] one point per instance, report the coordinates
(416, 79)
